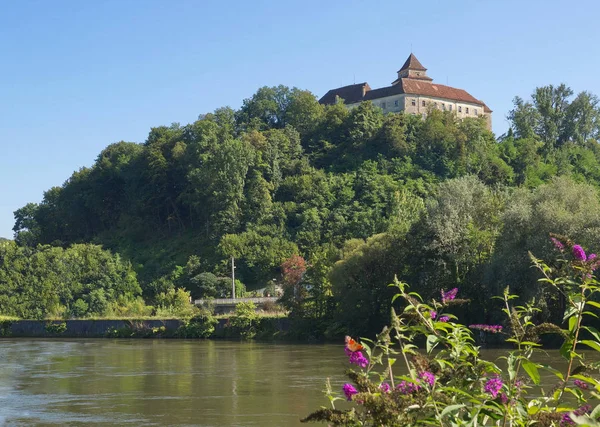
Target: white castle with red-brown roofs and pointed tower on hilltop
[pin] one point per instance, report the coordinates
(414, 93)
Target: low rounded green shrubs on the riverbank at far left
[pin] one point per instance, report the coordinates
(80, 281)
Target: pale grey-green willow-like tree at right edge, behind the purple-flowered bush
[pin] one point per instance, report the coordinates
(561, 206)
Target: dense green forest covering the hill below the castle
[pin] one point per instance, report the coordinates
(349, 198)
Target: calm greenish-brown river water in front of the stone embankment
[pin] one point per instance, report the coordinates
(165, 382)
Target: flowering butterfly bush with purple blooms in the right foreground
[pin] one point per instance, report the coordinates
(452, 384)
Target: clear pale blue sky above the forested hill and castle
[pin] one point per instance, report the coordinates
(78, 75)
